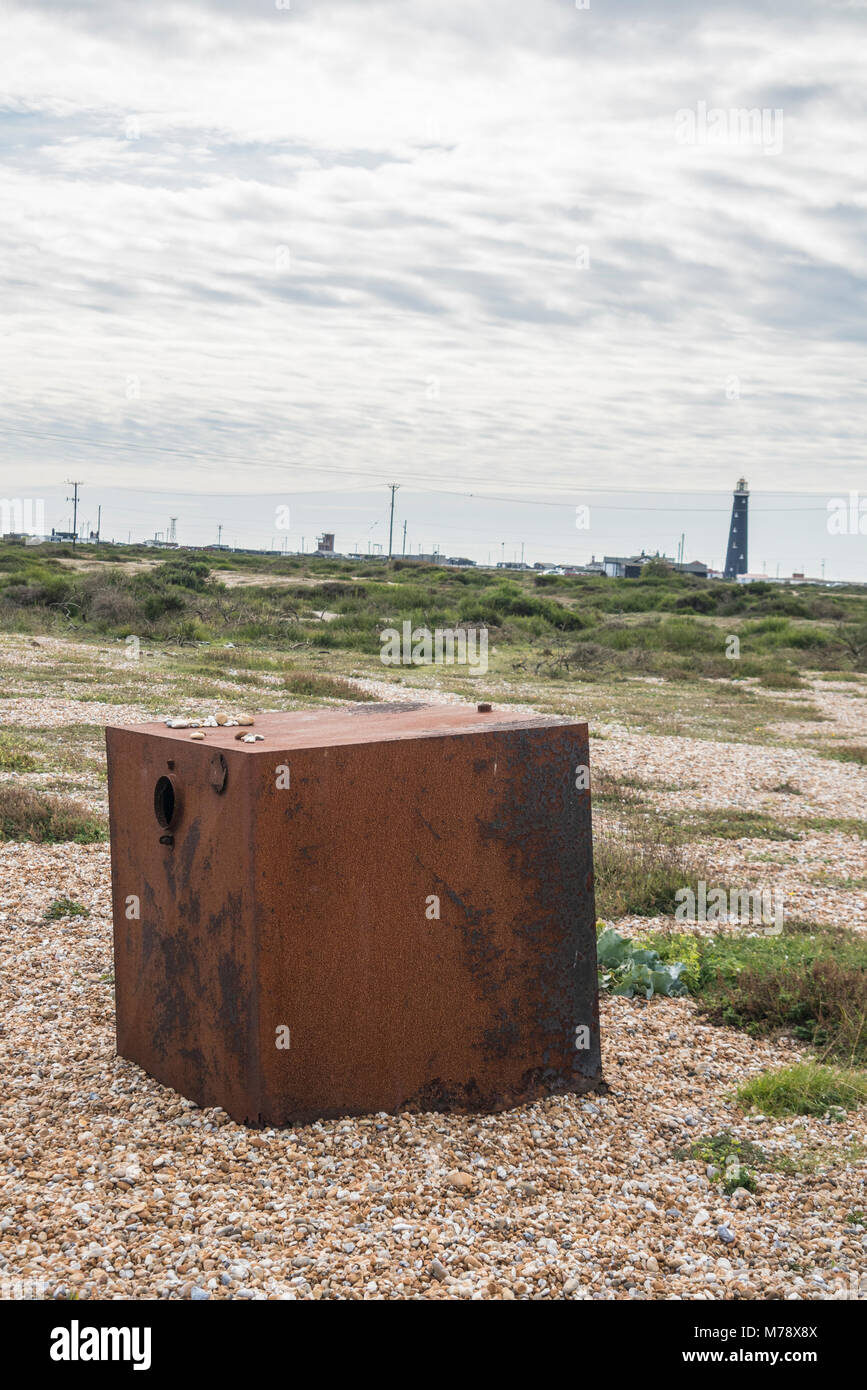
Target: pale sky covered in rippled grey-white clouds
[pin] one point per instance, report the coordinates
(261, 255)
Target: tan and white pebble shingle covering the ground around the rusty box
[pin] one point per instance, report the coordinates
(115, 1188)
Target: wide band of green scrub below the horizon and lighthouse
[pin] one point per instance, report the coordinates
(552, 626)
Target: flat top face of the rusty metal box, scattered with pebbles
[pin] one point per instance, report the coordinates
(356, 725)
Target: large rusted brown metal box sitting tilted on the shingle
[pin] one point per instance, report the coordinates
(377, 908)
